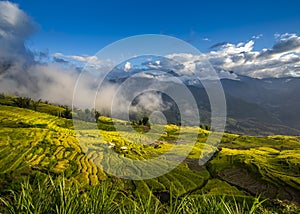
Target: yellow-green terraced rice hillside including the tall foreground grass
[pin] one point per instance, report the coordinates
(43, 169)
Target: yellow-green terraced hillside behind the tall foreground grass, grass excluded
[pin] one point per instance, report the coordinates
(36, 143)
